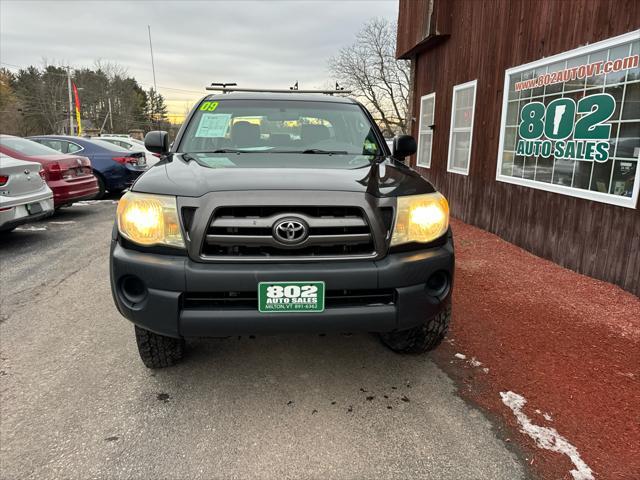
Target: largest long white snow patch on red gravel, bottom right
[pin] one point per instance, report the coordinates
(545, 437)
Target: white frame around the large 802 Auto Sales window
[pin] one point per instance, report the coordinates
(627, 202)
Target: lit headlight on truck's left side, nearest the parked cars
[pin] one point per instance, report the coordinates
(149, 219)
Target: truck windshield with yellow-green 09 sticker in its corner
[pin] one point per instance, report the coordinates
(279, 126)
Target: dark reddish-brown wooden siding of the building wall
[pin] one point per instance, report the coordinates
(488, 37)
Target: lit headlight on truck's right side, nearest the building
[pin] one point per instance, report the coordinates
(420, 218)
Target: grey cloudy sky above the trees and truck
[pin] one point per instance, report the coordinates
(254, 43)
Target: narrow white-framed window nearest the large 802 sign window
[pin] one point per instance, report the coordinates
(460, 138)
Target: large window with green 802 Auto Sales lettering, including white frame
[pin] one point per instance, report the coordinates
(571, 123)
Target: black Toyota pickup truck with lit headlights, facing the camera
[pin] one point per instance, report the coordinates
(281, 212)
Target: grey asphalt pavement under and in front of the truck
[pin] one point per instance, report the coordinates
(78, 403)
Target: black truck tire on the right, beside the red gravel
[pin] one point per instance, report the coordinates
(419, 339)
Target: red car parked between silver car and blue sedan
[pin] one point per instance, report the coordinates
(69, 176)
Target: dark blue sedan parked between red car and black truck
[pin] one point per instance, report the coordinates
(115, 167)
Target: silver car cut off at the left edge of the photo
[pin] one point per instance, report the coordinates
(24, 195)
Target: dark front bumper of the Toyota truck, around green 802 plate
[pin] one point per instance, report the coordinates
(169, 279)
